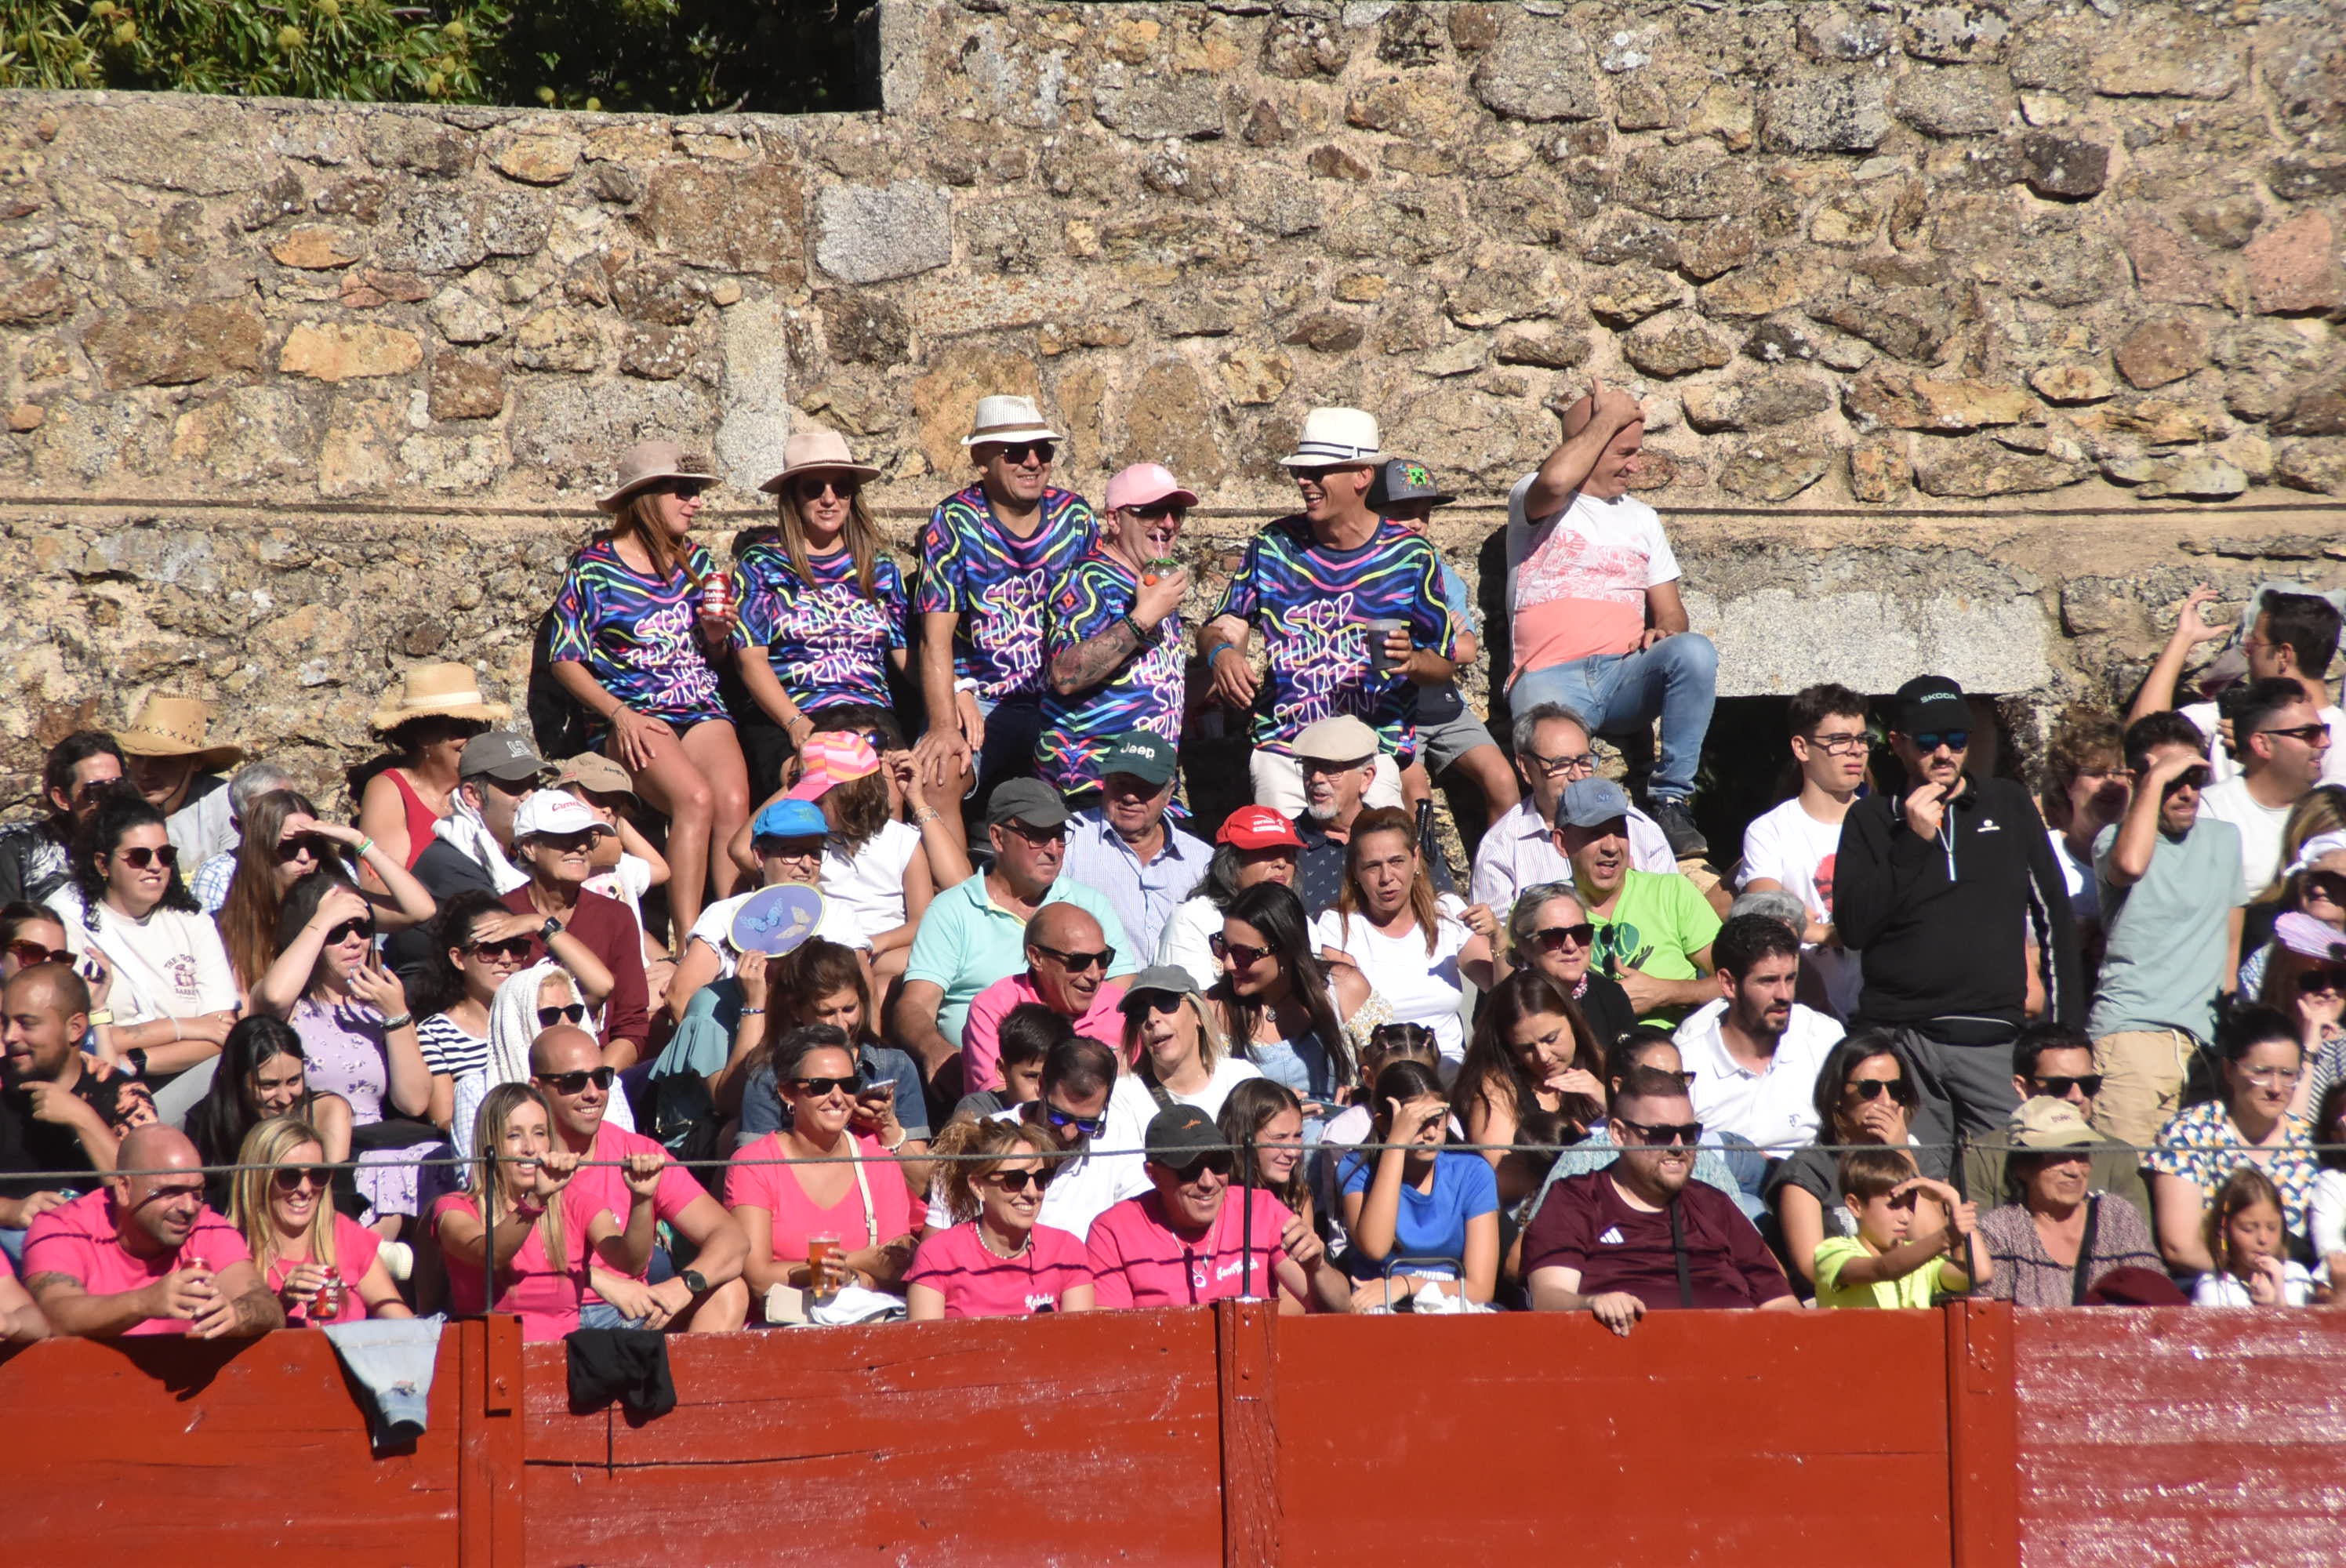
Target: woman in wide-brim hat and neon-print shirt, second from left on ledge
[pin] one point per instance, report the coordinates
(822, 604)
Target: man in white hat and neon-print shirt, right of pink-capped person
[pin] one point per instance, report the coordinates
(1350, 609)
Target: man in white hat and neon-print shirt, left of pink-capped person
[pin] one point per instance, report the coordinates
(989, 562)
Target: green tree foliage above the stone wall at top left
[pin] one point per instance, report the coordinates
(616, 55)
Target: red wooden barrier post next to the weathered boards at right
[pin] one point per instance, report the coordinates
(1984, 1435)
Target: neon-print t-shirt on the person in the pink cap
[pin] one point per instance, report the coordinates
(1146, 694)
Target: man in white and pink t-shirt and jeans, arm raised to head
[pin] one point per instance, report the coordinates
(1599, 626)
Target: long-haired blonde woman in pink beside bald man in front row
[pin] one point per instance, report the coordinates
(325, 1266)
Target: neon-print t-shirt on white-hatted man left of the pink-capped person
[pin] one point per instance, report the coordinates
(998, 583)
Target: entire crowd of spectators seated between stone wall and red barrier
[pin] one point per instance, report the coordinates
(893, 945)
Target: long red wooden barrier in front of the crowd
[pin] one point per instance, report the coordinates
(1977, 1438)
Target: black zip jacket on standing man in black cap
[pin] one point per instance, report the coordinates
(1946, 928)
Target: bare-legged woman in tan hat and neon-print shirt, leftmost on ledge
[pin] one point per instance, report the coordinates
(637, 642)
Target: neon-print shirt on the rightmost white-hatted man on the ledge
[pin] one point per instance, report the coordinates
(1310, 604)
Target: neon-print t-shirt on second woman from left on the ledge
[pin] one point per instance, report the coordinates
(827, 642)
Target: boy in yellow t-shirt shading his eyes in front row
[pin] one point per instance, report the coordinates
(1887, 1264)
